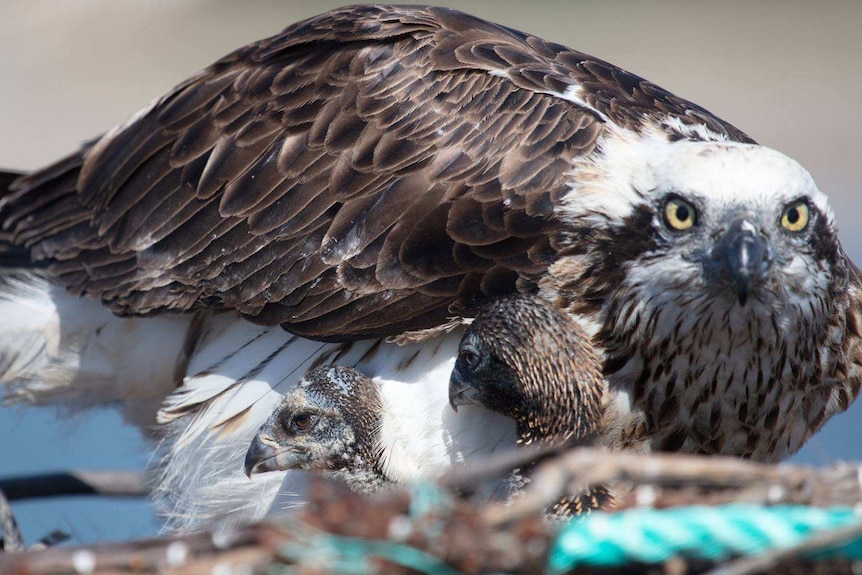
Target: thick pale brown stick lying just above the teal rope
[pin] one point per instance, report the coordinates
(662, 480)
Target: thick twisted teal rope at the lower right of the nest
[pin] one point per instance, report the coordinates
(710, 533)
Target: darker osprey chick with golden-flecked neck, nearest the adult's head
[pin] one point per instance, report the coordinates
(524, 359)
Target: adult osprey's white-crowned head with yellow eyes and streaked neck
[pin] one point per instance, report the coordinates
(717, 288)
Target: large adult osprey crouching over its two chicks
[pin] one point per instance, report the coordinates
(374, 172)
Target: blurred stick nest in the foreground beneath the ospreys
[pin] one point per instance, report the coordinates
(431, 529)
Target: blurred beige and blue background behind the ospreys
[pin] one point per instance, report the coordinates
(789, 73)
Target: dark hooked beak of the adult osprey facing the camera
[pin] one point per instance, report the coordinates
(742, 256)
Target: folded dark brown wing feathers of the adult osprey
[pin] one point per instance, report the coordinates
(359, 174)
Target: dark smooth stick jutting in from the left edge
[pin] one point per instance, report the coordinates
(107, 483)
